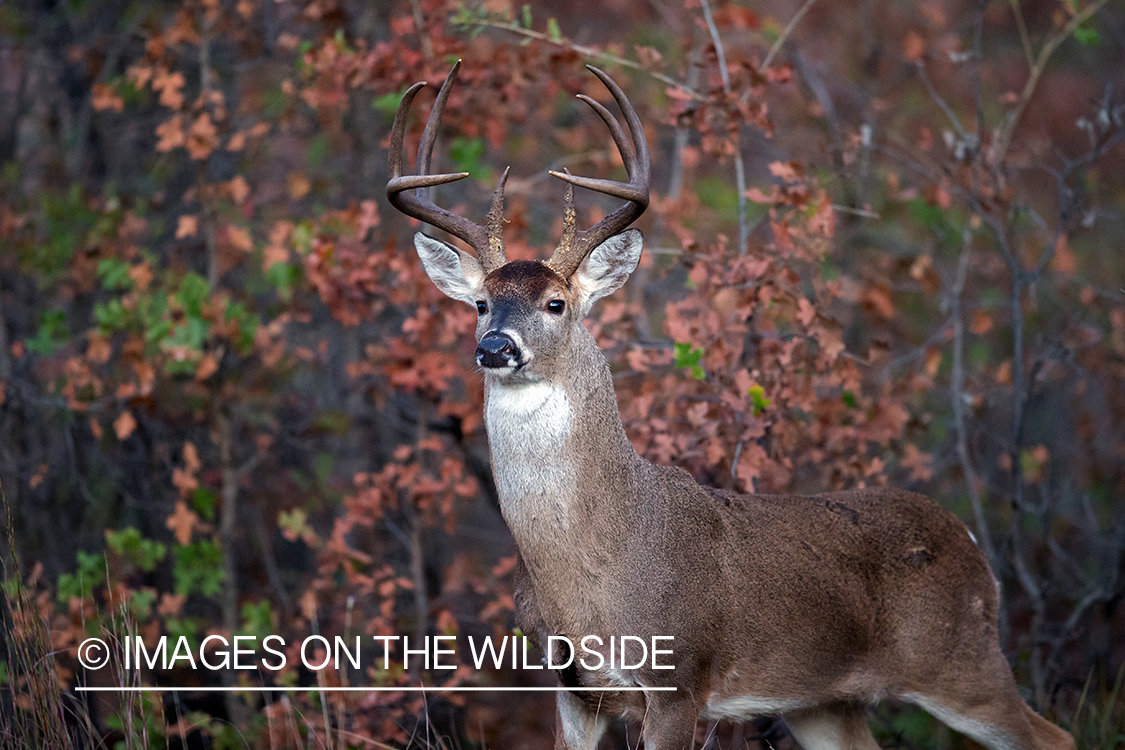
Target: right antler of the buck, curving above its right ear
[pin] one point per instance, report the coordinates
(578, 243)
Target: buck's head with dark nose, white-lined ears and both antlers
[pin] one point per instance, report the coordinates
(527, 309)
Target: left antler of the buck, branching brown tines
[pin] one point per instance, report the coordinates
(411, 194)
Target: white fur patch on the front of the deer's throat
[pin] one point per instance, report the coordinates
(528, 429)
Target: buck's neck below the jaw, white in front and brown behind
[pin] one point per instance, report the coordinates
(561, 457)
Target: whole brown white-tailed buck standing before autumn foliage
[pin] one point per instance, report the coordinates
(806, 608)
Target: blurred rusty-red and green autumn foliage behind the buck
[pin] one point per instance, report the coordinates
(886, 247)
